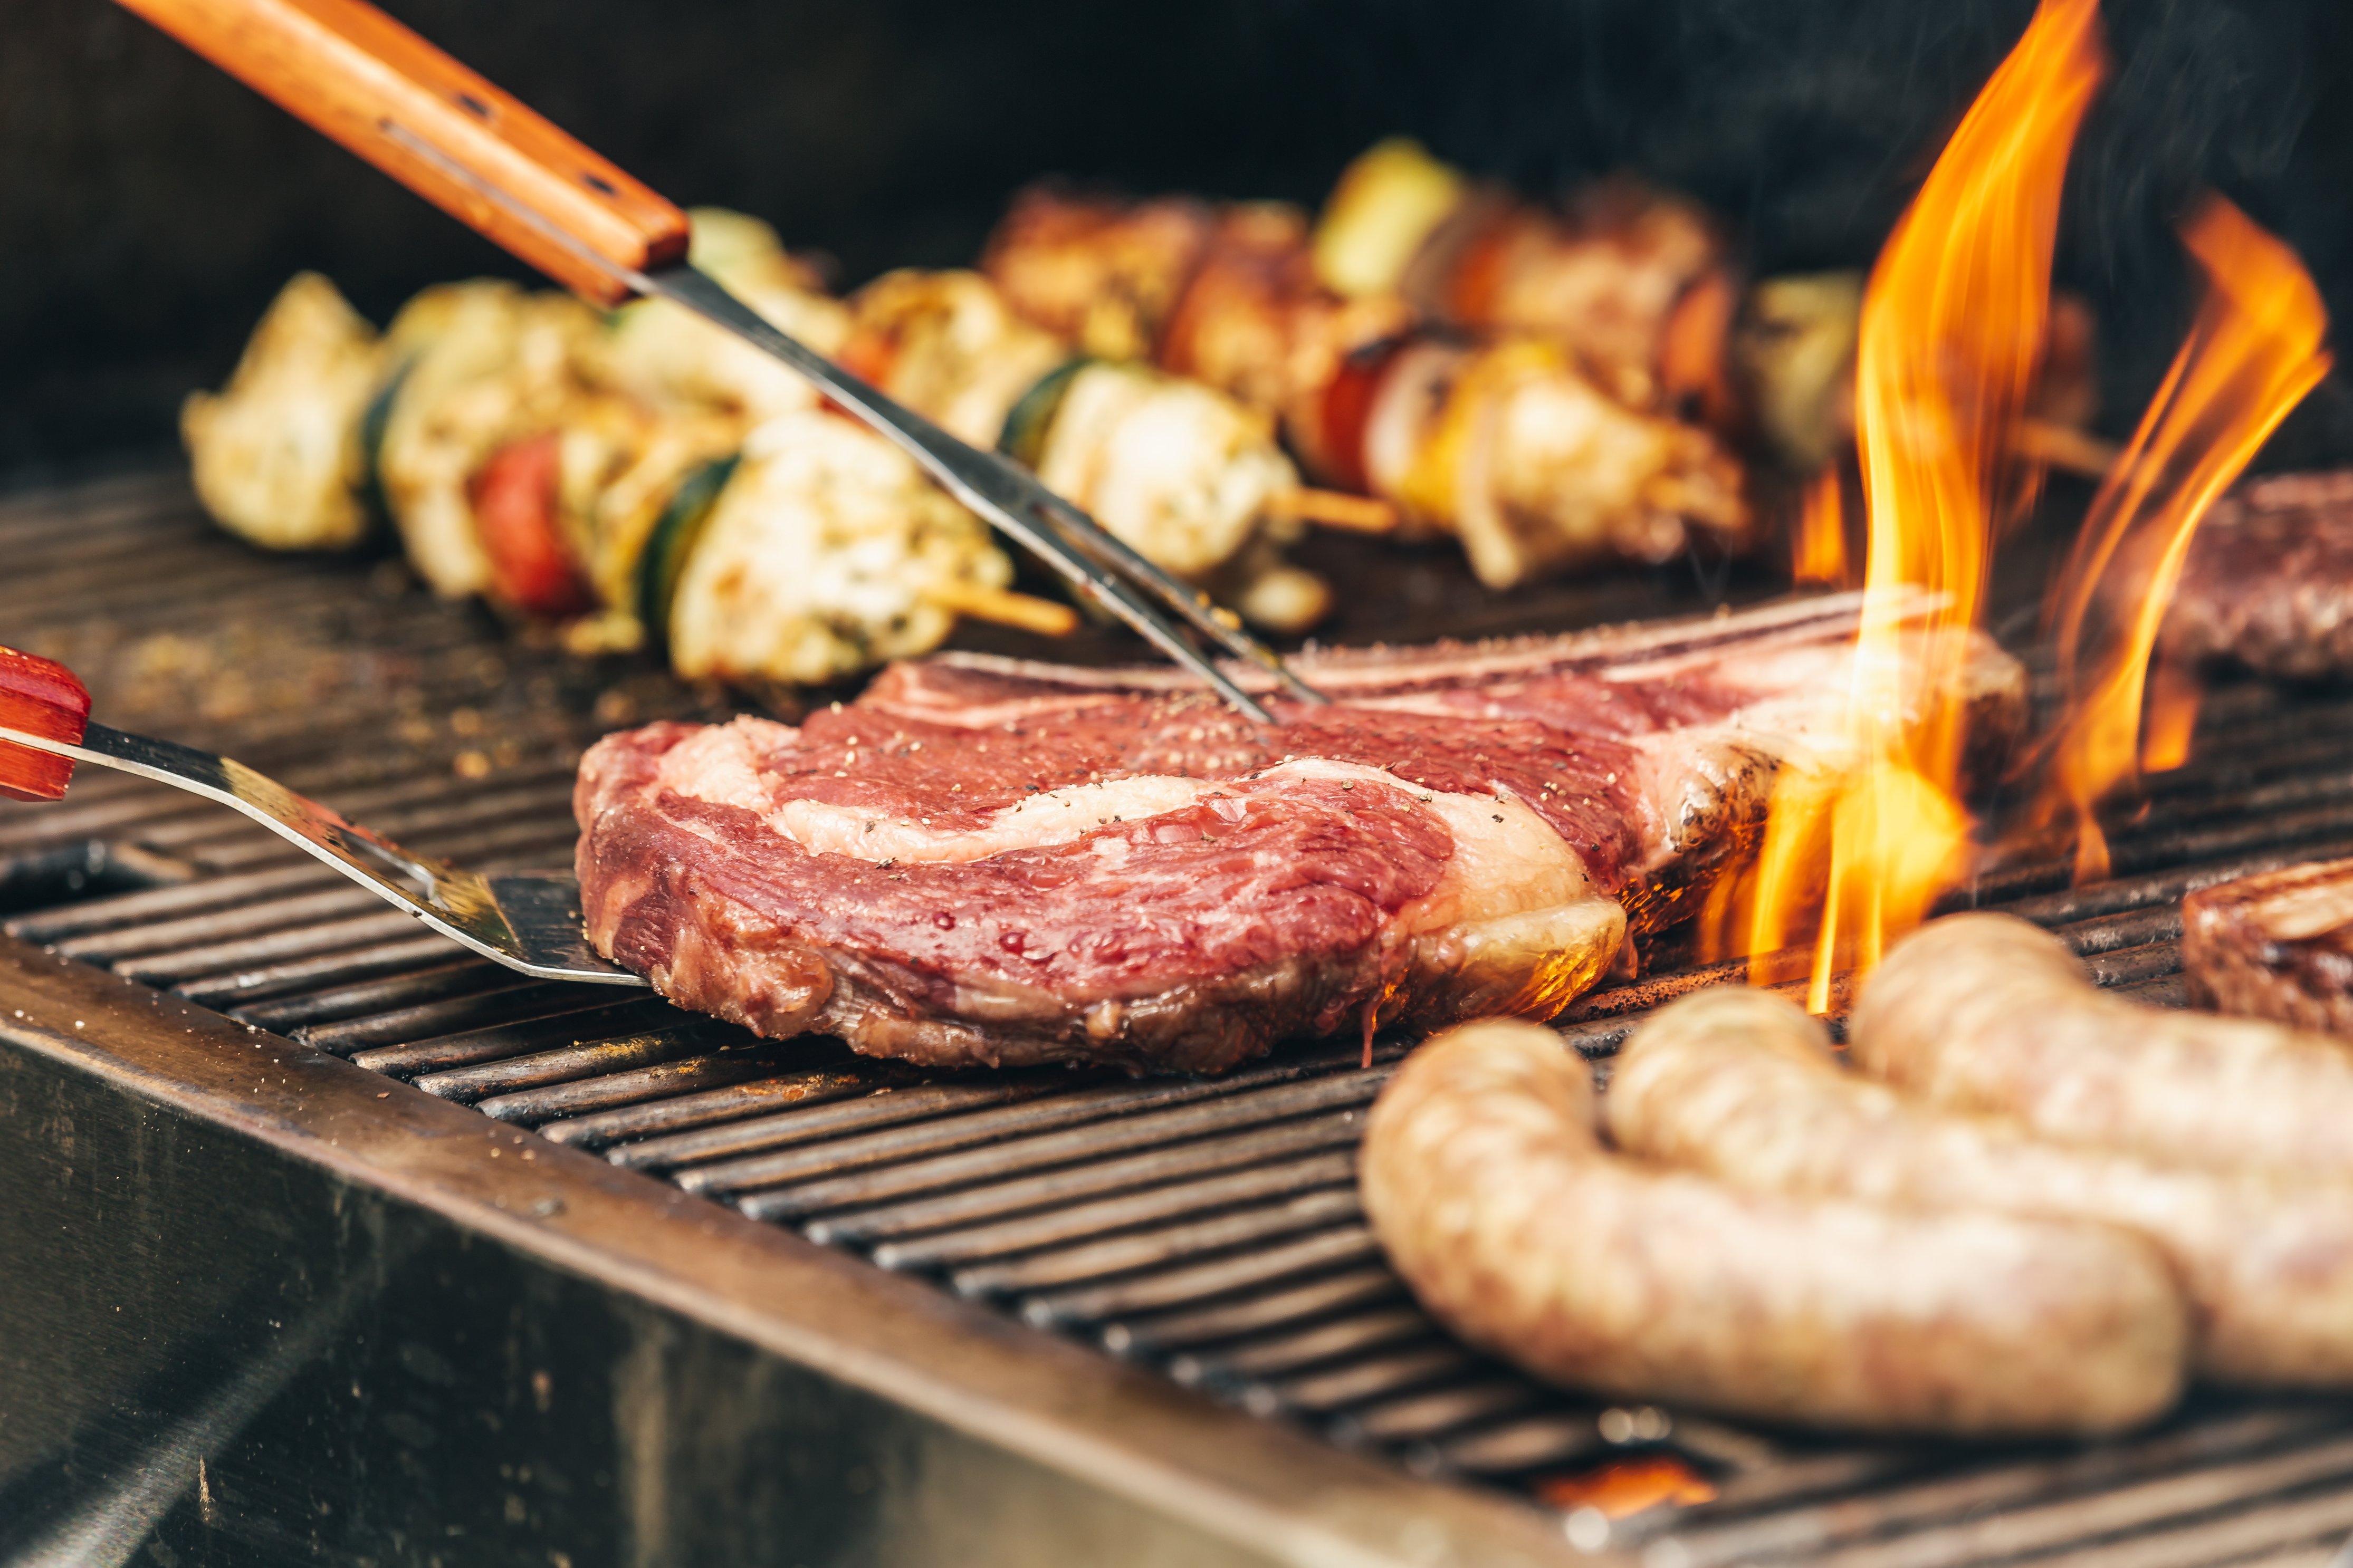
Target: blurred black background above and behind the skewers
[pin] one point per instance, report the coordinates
(149, 206)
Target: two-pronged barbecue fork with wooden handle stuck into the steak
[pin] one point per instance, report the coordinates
(474, 152)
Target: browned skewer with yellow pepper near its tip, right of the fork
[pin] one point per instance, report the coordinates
(1517, 445)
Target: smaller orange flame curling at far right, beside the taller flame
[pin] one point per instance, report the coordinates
(2251, 356)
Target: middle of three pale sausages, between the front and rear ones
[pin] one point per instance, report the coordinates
(1742, 1087)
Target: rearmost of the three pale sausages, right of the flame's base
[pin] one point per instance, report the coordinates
(1992, 1014)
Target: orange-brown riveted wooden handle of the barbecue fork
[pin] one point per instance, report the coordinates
(436, 128)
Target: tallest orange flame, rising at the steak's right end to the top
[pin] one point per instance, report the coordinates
(1952, 330)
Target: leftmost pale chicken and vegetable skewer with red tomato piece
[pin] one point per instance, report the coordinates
(578, 471)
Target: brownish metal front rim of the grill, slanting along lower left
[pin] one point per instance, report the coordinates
(1036, 1426)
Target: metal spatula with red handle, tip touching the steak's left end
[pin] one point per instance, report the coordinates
(524, 920)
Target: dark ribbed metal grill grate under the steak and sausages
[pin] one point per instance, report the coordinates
(1199, 1228)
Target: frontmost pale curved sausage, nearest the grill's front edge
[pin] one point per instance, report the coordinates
(1517, 1228)
